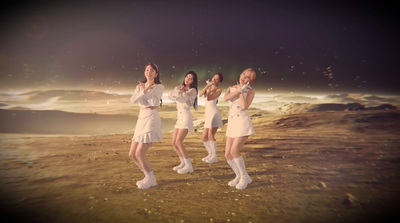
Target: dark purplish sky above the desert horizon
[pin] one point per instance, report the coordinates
(294, 46)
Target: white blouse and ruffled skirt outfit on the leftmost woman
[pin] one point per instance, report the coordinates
(148, 126)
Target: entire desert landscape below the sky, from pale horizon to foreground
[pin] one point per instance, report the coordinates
(64, 158)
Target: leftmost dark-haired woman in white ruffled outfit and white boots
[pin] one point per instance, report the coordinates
(148, 127)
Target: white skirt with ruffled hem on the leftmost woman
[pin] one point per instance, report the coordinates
(148, 127)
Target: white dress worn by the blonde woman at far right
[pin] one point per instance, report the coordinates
(239, 121)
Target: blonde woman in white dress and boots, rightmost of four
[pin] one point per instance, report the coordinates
(239, 127)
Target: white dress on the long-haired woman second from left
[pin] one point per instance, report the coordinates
(184, 101)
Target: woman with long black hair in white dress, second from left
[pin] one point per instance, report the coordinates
(185, 96)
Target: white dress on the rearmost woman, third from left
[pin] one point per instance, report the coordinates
(212, 117)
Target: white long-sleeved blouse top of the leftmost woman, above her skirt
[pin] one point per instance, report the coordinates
(149, 99)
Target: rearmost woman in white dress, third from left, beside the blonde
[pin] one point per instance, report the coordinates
(212, 117)
